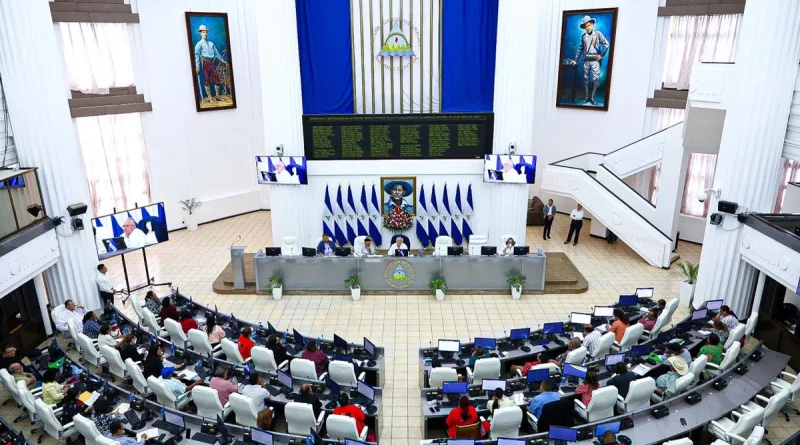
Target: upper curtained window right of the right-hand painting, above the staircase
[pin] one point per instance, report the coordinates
(708, 38)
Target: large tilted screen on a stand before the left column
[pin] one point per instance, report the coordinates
(130, 230)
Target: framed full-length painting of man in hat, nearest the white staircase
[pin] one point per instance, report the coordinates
(587, 56)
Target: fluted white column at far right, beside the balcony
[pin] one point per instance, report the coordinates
(755, 124)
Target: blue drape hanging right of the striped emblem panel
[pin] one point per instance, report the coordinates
(469, 45)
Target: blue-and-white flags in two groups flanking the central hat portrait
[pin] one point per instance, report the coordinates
(345, 218)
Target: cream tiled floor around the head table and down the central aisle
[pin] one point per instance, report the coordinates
(401, 323)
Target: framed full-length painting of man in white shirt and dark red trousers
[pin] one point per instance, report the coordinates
(210, 60)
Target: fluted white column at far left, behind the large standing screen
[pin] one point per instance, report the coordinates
(36, 89)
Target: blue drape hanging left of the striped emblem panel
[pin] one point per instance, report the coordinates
(326, 67)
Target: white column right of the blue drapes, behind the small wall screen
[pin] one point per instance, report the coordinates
(514, 86)
